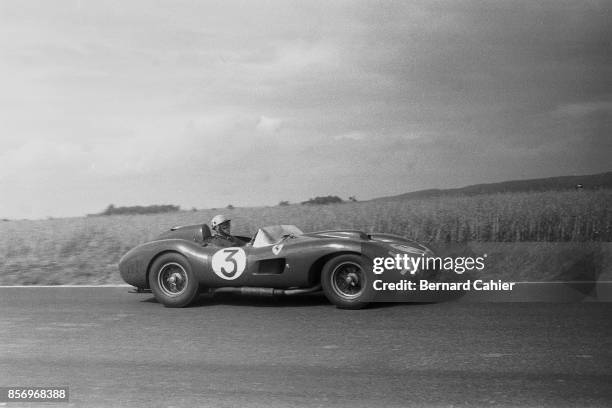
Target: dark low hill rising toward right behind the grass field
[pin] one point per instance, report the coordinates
(588, 182)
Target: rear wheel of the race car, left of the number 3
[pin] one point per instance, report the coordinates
(172, 282)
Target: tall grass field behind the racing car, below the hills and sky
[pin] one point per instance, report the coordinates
(543, 226)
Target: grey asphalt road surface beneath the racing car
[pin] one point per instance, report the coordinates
(118, 349)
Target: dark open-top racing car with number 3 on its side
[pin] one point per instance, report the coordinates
(278, 260)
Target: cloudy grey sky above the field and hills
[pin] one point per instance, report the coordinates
(208, 103)
